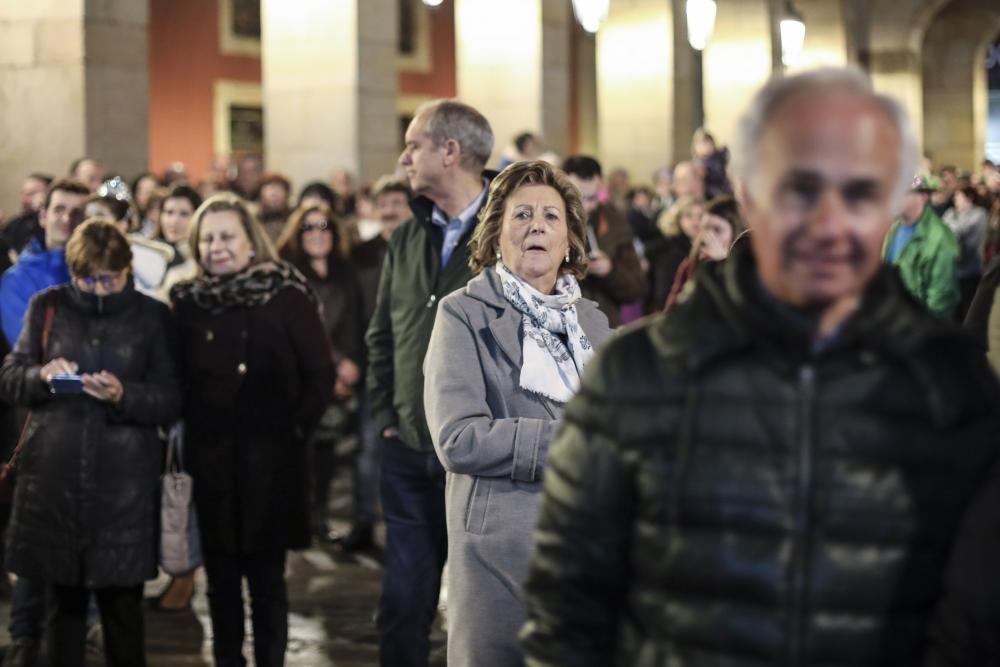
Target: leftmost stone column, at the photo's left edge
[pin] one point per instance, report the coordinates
(73, 81)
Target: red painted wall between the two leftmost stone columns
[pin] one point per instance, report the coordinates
(184, 62)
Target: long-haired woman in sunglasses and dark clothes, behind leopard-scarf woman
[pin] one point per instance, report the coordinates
(311, 242)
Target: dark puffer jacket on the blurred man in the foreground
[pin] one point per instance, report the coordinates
(722, 494)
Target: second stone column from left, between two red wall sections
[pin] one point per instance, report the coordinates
(329, 83)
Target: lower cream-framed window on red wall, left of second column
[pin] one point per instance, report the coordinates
(238, 117)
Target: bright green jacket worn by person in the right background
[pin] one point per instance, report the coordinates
(928, 264)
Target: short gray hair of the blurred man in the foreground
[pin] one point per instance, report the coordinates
(745, 161)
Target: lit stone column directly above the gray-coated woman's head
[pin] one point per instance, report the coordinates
(512, 64)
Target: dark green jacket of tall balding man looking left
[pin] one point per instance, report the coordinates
(411, 286)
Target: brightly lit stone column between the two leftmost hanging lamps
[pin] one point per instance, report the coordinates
(636, 87)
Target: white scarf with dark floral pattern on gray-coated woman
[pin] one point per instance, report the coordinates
(549, 368)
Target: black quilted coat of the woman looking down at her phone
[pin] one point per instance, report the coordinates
(85, 508)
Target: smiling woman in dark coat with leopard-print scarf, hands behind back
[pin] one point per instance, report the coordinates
(257, 375)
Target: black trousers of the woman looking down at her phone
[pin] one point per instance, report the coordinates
(121, 620)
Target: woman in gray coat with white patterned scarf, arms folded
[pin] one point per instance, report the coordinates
(504, 358)
